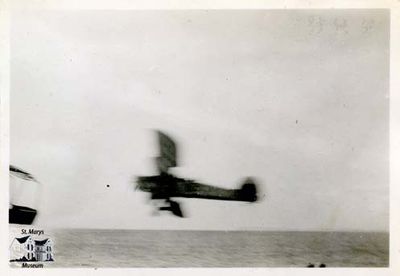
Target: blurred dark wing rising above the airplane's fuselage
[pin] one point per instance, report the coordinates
(168, 153)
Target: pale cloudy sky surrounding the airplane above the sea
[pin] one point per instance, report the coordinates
(299, 100)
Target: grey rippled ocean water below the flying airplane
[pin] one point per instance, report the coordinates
(148, 248)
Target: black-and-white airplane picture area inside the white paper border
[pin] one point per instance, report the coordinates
(199, 138)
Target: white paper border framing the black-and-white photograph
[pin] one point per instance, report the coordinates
(394, 6)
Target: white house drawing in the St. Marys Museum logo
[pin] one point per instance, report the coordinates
(26, 249)
